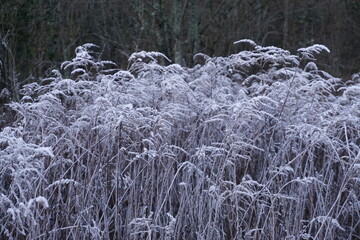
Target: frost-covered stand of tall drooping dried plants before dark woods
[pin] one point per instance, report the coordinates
(258, 145)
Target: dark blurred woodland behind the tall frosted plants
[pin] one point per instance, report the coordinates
(39, 34)
